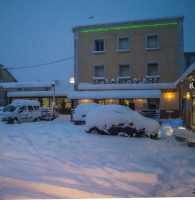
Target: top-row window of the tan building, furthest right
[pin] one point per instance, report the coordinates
(152, 41)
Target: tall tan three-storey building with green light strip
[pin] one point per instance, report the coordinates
(141, 59)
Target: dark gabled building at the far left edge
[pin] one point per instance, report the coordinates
(5, 76)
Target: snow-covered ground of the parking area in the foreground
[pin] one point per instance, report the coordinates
(59, 160)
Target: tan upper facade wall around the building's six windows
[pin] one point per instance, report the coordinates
(166, 55)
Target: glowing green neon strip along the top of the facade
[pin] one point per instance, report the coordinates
(128, 27)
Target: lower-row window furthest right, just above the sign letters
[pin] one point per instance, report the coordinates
(152, 70)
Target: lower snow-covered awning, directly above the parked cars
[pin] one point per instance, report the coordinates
(115, 94)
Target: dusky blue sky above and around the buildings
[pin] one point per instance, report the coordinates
(34, 32)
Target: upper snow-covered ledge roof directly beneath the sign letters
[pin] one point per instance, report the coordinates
(141, 86)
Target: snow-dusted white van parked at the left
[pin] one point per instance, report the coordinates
(22, 111)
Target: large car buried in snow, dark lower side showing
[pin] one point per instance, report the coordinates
(120, 120)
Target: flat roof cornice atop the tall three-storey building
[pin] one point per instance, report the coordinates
(136, 22)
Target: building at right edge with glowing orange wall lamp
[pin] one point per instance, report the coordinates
(186, 85)
